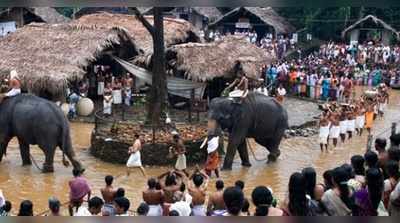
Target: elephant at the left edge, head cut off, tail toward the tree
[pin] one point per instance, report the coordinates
(36, 121)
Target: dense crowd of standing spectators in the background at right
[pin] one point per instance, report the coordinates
(332, 72)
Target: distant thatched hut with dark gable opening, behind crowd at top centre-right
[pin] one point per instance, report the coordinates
(256, 17)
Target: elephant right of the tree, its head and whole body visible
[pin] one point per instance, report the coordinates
(257, 116)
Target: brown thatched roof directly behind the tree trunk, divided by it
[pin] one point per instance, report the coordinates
(176, 31)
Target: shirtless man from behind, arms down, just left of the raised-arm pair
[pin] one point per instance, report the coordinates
(154, 198)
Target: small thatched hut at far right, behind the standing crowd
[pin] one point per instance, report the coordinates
(368, 23)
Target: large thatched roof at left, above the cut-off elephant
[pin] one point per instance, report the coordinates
(47, 56)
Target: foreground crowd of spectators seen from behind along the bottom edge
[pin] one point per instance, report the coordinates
(365, 186)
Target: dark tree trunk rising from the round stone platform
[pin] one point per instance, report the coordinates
(158, 92)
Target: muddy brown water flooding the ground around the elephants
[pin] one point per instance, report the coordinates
(19, 183)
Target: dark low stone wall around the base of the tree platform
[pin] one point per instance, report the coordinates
(113, 151)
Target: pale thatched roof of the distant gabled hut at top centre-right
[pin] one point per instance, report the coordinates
(266, 15)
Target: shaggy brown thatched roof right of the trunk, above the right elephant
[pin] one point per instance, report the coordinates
(206, 61)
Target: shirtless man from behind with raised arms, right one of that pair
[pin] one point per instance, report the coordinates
(197, 189)
